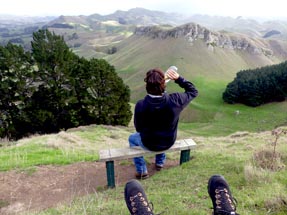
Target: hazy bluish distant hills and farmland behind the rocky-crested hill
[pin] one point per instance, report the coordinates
(121, 24)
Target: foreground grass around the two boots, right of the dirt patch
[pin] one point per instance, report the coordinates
(258, 190)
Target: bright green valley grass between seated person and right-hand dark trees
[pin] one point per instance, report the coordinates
(210, 116)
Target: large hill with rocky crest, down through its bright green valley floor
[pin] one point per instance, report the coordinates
(210, 60)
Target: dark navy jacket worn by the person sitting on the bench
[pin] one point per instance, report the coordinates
(156, 118)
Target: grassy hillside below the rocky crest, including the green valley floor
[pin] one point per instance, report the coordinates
(209, 70)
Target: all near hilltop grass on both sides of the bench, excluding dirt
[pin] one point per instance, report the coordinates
(241, 157)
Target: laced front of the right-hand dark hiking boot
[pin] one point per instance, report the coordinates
(225, 203)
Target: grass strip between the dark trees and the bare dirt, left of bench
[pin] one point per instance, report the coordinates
(80, 144)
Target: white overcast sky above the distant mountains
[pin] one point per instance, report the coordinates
(234, 8)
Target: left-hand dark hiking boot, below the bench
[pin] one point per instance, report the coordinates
(136, 199)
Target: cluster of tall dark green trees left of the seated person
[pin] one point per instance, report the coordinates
(50, 88)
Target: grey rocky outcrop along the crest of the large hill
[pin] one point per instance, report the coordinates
(192, 32)
